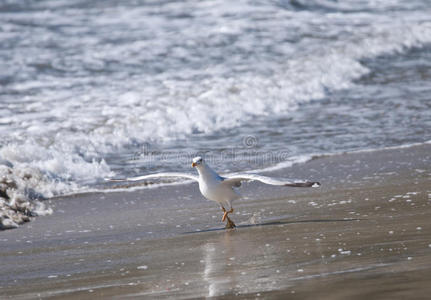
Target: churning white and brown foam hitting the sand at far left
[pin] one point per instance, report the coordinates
(35, 175)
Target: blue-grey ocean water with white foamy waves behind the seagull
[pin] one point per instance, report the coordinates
(91, 89)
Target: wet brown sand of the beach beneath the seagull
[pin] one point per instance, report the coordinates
(365, 233)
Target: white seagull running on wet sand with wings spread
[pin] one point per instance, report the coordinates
(221, 189)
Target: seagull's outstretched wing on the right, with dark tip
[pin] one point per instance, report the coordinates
(235, 180)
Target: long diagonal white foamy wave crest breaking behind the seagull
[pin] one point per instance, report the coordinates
(220, 102)
